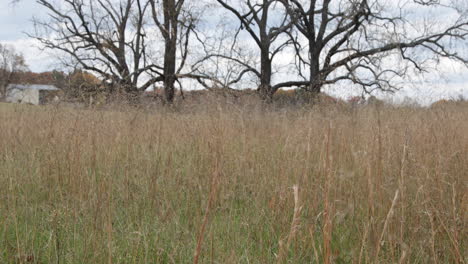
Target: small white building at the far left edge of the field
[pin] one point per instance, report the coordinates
(31, 94)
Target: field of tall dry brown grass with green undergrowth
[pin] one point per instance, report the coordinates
(326, 184)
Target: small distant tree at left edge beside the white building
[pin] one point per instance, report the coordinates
(11, 63)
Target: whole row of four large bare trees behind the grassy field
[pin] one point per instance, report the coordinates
(266, 44)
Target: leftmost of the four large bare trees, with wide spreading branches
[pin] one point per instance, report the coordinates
(106, 37)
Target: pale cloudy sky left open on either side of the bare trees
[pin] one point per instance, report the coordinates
(450, 81)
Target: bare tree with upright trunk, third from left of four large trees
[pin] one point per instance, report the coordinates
(255, 18)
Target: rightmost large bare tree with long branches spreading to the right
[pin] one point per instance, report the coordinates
(355, 40)
